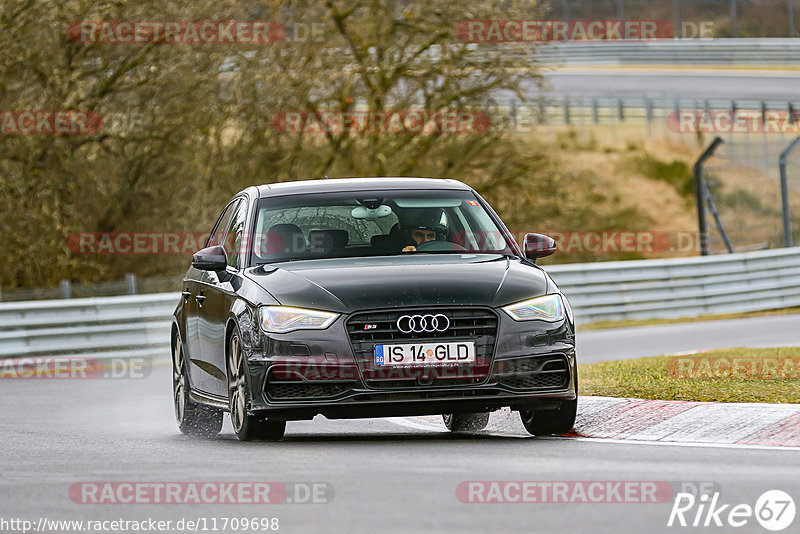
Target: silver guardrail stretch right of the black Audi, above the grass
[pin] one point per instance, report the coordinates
(681, 287)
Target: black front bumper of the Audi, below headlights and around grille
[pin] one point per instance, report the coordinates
(304, 374)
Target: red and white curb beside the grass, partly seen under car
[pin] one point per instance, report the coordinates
(660, 422)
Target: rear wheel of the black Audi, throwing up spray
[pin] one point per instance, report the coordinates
(193, 419)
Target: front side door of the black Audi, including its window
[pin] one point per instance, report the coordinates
(218, 292)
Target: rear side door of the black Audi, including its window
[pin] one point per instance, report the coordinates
(203, 376)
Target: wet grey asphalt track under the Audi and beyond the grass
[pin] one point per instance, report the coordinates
(388, 475)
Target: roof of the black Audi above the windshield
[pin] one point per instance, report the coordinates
(358, 184)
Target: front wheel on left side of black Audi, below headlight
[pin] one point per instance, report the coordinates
(246, 426)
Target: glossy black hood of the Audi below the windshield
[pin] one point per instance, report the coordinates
(349, 284)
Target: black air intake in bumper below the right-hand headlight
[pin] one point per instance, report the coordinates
(534, 373)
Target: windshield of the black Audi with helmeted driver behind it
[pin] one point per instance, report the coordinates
(360, 224)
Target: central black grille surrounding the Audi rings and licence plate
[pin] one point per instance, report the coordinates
(367, 329)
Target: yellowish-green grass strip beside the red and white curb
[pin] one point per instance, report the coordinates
(649, 378)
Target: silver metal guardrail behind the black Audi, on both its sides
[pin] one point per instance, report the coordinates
(128, 326)
